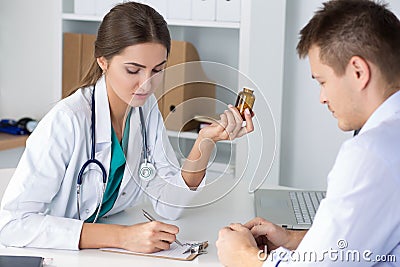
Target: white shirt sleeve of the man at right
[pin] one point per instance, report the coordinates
(355, 222)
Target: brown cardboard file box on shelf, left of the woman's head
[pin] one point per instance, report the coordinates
(78, 54)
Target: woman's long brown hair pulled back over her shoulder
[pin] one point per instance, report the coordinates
(126, 24)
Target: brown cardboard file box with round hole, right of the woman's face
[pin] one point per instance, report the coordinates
(187, 92)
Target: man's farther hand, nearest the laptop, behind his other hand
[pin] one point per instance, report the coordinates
(274, 236)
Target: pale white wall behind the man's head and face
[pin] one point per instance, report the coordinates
(310, 136)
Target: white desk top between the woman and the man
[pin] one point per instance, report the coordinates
(202, 223)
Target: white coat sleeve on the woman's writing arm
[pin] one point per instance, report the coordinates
(24, 215)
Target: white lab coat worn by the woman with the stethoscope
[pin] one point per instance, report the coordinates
(39, 206)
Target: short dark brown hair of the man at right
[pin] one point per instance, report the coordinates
(346, 28)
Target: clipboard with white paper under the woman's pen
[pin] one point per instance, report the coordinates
(189, 251)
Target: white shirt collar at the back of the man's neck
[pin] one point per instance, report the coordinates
(386, 110)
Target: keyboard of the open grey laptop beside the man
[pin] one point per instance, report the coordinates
(305, 205)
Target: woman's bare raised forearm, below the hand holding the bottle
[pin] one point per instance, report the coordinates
(194, 168)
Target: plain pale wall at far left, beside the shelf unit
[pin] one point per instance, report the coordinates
(30, 79)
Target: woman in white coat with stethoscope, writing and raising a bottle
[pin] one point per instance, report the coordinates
(89, 157)
